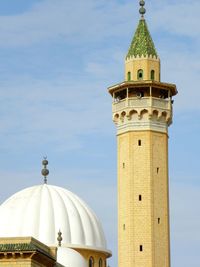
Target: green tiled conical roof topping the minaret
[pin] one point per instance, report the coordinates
(142, 43)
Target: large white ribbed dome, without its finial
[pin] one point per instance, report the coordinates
(41, 211)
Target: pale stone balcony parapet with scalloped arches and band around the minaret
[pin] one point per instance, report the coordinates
(142, 114)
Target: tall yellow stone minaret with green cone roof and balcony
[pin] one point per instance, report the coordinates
(142, 112)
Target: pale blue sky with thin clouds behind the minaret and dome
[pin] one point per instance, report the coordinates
(57, 60)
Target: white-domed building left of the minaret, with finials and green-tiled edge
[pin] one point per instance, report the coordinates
(46, 225)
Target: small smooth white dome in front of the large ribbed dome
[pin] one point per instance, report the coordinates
(70, 258)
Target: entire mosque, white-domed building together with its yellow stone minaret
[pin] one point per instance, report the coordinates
(46, 225)
